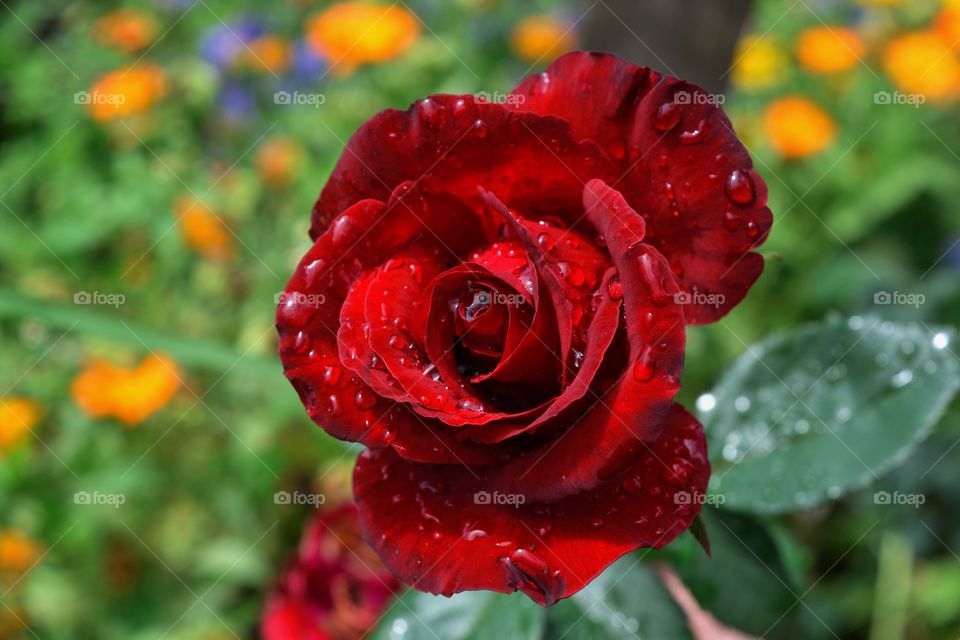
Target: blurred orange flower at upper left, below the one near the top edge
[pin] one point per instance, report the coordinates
(125, 92)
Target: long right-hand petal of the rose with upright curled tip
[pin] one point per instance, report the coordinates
(633, 409)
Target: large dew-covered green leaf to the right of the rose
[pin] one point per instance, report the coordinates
(807, 415)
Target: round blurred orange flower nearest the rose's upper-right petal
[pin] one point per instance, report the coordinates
(797, 128)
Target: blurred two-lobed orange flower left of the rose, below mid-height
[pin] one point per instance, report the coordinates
(128, 394)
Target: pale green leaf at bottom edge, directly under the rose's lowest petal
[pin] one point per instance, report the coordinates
(471, 615)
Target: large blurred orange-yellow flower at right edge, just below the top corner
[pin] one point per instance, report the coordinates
(923, 63)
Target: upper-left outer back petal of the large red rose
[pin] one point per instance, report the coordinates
(451, 144)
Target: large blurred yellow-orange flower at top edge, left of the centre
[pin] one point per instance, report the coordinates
(348, 34)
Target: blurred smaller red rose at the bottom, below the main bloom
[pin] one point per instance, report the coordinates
(334, 588)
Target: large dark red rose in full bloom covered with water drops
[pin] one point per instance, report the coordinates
(495, 305)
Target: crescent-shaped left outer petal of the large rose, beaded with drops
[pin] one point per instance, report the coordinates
(308, 319)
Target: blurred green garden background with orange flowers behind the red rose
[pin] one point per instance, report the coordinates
(158, 163)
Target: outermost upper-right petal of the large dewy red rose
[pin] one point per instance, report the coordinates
(679, 162)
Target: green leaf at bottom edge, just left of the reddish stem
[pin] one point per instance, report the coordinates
(625, 601)
